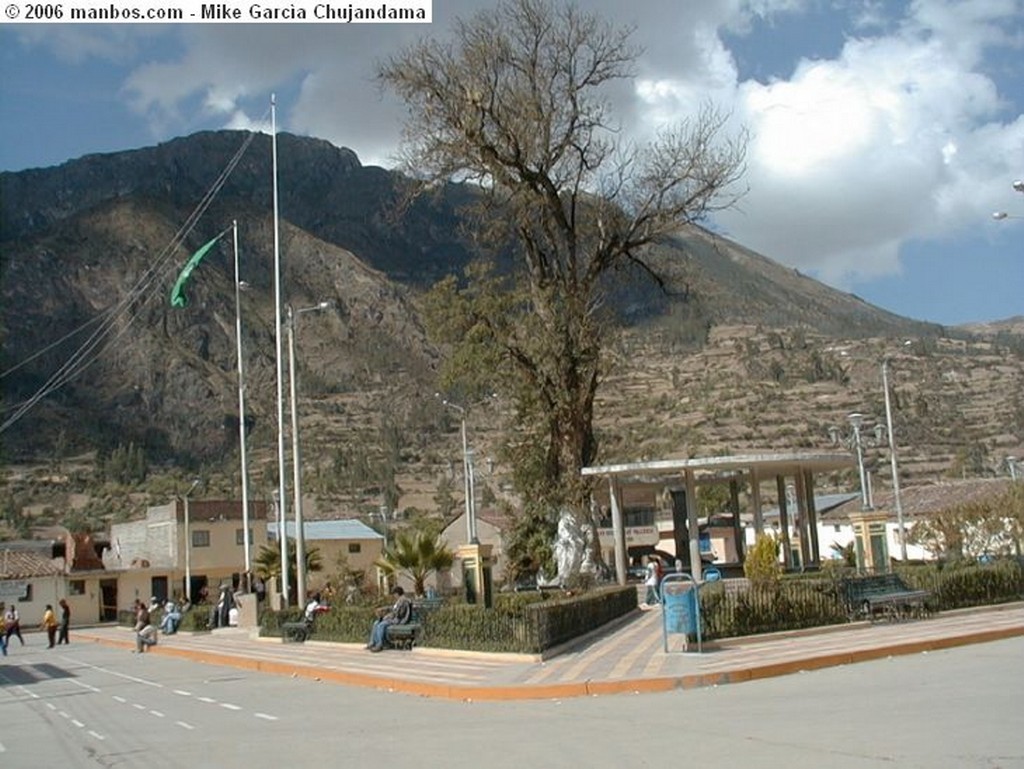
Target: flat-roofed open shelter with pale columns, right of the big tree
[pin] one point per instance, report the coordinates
(681, 478)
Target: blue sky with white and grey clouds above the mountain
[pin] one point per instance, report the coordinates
(882, 136)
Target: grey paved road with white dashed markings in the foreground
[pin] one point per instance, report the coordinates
(91, 706)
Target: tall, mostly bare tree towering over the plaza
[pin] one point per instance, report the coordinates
(517, 104)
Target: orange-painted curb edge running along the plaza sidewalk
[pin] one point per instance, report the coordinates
(571, 690)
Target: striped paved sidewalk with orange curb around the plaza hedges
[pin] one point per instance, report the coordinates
(630, 659)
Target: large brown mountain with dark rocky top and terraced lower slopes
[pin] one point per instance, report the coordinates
(739, 348)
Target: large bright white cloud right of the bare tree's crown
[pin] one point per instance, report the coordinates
(897, 140)
